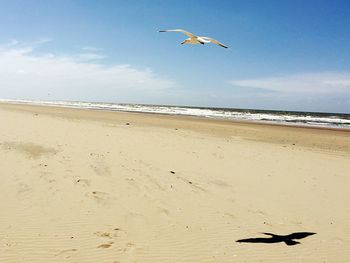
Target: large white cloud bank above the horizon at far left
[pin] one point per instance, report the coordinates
(26, 75)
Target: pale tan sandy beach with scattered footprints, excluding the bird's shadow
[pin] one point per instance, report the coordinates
(83, 186)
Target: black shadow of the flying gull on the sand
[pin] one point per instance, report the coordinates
(287, 239)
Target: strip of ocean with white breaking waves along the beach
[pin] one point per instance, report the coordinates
(312, 119)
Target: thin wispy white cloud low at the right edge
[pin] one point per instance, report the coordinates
(310, 83)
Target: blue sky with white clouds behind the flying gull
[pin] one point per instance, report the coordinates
(291, 55)
